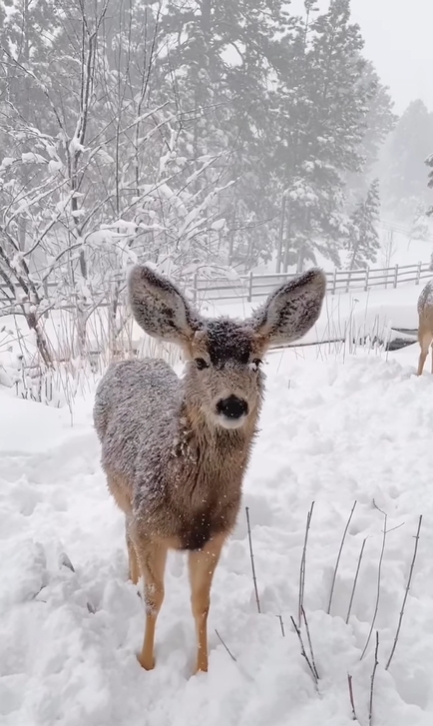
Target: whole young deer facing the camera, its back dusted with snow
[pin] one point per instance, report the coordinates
(175, 450)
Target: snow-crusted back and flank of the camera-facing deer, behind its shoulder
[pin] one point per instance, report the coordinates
(135, 414)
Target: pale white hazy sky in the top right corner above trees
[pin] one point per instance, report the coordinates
(398, 38)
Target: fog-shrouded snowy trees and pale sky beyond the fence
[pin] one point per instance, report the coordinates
(210, 138)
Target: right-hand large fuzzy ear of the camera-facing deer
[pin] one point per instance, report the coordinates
(292, 309)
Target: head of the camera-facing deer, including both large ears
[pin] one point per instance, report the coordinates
(224, 355)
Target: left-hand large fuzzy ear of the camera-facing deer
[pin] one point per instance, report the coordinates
(159, 307)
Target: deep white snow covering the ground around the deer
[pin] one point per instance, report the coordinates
(334, 429)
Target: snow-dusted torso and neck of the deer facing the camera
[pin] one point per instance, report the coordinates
(183, 477)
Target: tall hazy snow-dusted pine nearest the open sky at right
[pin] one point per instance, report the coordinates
(324, 103)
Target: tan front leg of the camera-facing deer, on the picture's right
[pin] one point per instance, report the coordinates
(202, 565)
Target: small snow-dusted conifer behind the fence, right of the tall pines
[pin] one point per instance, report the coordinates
(363, 235)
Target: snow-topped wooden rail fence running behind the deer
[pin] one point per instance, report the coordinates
(254, 287)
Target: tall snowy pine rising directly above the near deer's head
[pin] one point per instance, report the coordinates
(220, 62)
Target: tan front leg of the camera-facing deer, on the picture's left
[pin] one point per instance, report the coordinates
(151, 558)
